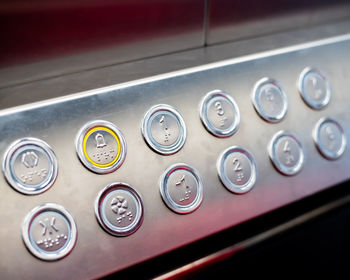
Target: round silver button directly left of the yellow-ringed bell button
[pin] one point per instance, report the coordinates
(30, 166)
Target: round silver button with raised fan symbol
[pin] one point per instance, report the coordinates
(119, 209)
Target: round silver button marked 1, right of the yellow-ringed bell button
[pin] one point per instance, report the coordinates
(163, 129)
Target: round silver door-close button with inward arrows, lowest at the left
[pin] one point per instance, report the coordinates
(49, 232)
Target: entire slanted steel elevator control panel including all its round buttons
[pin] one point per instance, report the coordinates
(173, 182)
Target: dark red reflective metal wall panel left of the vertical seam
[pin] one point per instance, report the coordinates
(44, 39)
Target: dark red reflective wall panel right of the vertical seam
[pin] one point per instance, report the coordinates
(235, 19)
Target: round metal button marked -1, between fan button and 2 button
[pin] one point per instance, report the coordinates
(181, 188)
